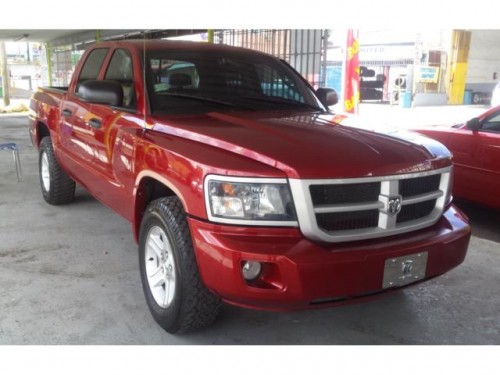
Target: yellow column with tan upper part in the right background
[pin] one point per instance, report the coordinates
(457, 67)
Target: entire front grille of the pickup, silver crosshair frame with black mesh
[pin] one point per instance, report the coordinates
(354, 209)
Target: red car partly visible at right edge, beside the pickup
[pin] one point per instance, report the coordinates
(476, 154)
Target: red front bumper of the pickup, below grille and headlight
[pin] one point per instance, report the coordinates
(301, 274)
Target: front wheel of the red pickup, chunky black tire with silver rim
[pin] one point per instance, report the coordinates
(179, 301)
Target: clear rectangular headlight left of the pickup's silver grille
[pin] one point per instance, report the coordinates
(252, 200)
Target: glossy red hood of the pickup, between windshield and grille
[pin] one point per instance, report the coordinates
(308, 145)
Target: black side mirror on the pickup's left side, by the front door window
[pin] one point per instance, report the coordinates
(101, 92)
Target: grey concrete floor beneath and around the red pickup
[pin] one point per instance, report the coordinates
(70, 275)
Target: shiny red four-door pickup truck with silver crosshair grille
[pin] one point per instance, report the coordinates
(239, 184)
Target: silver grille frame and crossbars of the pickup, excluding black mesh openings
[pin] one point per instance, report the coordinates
(387, 222)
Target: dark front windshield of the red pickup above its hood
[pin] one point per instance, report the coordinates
(193, 82)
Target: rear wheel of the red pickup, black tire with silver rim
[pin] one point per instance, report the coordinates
(57, 187)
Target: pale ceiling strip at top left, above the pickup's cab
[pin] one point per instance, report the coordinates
(58, 37)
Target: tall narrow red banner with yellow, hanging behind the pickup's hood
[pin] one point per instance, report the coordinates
(351, 73)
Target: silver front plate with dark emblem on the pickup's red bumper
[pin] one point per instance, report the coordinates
(404, 270)
